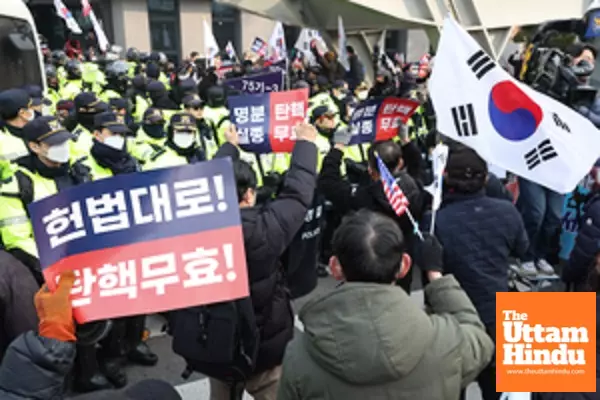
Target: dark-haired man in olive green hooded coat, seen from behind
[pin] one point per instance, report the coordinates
(367, 340)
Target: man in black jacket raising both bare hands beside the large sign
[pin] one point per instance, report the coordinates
(268, 231)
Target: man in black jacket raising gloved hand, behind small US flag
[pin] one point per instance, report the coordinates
(346, 197)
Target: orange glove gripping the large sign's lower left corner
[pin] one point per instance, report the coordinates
(55, 311)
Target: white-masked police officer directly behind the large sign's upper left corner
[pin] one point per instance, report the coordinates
(43, 172)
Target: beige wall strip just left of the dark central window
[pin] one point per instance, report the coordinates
(130, 24)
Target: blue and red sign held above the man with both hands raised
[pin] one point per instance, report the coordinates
(265, 122)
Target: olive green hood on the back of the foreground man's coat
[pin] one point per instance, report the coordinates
(366, 334)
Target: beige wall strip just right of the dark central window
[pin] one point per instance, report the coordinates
(192, 13)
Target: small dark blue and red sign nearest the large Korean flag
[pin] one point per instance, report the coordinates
(379, 119)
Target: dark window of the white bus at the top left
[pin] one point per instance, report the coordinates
(20, 58)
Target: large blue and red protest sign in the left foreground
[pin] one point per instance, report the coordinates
(145, 242)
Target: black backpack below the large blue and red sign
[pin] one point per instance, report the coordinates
(218, 340)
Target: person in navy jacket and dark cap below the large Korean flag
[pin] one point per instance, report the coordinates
(479, 235)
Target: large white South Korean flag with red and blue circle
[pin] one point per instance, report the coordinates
(509, 124)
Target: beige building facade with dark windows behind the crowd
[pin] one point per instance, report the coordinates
(174, 27)
